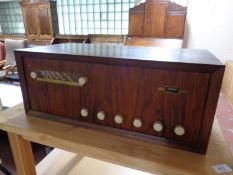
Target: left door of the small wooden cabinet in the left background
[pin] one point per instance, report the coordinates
(30, 23)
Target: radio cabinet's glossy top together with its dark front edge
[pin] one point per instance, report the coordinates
(192, 59)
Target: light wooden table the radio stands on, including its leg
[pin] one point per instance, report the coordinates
(144, 156)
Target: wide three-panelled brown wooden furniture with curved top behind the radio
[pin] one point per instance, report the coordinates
(157, 18)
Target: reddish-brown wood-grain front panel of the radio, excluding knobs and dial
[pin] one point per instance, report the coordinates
(129, 91)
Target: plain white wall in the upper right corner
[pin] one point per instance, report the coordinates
(210, 26)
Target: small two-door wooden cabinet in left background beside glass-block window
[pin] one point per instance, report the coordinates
(40, 20)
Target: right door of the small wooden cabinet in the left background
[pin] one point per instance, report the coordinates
(44, 21)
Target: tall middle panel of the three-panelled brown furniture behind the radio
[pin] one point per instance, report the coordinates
(155, 17)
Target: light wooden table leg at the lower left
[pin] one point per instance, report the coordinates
(22, 153)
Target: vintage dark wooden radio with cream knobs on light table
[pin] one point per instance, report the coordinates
(164, 96)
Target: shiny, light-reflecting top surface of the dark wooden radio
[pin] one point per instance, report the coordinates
(129, 53)
